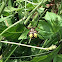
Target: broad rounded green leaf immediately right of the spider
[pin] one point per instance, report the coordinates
(44, 29)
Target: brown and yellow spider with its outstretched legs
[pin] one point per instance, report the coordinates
(33, 33)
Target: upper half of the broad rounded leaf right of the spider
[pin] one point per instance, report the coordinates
(43, 25)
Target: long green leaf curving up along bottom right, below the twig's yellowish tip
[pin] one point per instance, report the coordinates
(46, 58)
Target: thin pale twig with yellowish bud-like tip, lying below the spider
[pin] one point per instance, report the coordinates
(51, 47)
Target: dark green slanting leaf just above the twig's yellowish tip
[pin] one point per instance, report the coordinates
(54, 38)
